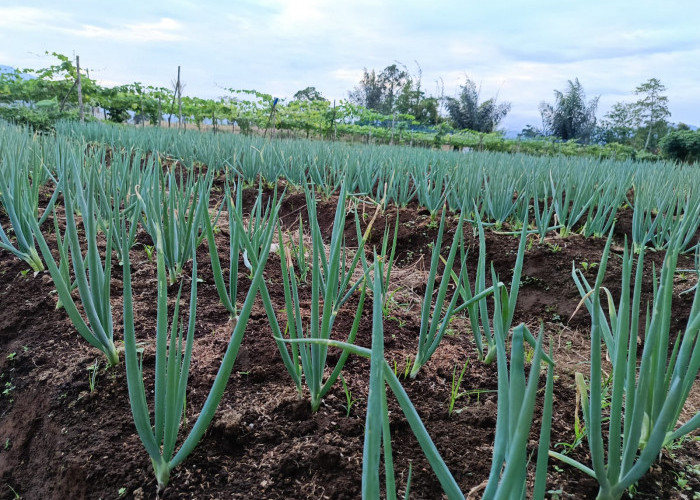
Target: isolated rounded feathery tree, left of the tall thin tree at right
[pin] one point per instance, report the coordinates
(570, 117)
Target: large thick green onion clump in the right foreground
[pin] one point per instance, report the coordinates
(648, 394)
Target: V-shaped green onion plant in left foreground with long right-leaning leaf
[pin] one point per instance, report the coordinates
(173, 355)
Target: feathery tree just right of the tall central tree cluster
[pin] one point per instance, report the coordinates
(466, 112)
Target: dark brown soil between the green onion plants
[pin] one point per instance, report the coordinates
(62, 439)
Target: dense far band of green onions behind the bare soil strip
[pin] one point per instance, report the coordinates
(578, 194)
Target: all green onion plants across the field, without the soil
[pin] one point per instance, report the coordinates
(107, 181)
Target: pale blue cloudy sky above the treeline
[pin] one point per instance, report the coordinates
(517, 50)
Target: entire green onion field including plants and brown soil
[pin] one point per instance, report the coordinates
(198, 315)
